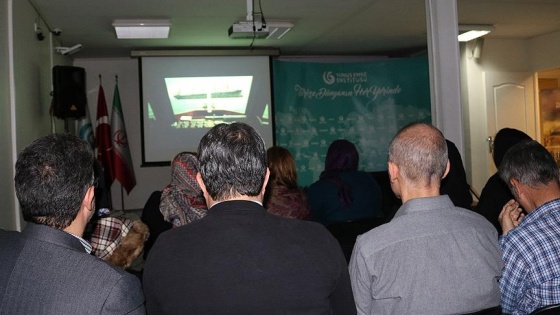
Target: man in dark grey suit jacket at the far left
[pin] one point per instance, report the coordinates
(47, 269)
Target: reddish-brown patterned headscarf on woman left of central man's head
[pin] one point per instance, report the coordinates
(182, 201)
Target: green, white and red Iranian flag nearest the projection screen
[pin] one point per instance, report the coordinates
(124, 172)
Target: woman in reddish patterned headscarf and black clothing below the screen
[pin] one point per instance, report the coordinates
(180, 202)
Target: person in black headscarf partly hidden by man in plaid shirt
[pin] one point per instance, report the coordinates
(496, 193)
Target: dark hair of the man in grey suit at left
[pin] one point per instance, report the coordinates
(52, 177)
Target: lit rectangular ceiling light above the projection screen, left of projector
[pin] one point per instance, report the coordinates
(136, 29)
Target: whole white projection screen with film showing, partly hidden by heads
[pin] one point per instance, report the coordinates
(183, 97)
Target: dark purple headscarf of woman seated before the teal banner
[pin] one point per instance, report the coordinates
(342, 156)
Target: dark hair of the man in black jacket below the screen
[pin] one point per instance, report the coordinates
(232, 161)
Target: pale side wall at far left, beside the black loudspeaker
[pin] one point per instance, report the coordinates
(28, 102)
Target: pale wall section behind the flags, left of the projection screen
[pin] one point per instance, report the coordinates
(148, 178)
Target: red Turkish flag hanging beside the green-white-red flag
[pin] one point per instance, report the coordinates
(103, 137)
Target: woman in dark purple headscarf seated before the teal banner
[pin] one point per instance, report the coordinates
(343, 193)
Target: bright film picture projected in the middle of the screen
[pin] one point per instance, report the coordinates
(206, 101)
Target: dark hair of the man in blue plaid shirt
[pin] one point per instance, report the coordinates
(530, 163)
